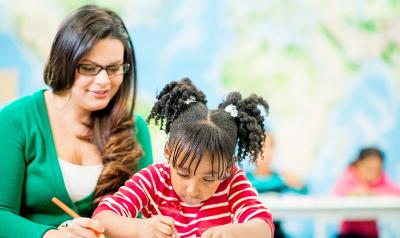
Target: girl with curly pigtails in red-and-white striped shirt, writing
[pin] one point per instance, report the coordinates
(199, 191)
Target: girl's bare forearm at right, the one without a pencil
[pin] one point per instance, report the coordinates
(255, 228)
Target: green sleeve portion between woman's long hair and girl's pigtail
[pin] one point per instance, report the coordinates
(143, 137)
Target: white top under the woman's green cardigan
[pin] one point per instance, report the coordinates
(79, 180)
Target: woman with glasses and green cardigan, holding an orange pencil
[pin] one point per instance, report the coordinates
(75, 141)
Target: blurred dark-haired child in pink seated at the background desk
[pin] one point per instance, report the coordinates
(364, 177)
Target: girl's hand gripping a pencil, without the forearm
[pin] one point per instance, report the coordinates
(158, 227)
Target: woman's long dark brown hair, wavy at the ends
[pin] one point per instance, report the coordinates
(110, 129)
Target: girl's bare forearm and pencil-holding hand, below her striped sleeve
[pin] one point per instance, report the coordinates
(118, 226)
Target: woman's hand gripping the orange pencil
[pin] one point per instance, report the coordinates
(78, 227)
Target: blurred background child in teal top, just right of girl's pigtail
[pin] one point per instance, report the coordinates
(265, 179)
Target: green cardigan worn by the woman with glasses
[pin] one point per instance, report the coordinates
(30, 173)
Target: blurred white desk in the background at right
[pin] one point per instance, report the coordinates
(325, 209)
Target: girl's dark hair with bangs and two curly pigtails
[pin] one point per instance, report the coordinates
(194, 130)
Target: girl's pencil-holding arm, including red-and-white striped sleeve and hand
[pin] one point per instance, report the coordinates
(117, 213)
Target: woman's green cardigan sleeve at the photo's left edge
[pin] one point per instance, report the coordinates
(12, 171)
